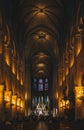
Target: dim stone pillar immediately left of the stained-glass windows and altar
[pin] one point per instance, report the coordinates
(27, 90)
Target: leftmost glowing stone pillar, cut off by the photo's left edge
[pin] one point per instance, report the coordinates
(2, 115)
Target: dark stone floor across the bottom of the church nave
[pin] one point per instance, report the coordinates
(43, 125)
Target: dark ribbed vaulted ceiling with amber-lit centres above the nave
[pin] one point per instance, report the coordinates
(41, 28)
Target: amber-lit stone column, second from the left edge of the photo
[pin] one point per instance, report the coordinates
(8, 79)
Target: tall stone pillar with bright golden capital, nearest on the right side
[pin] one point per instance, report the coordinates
(77, 76)
